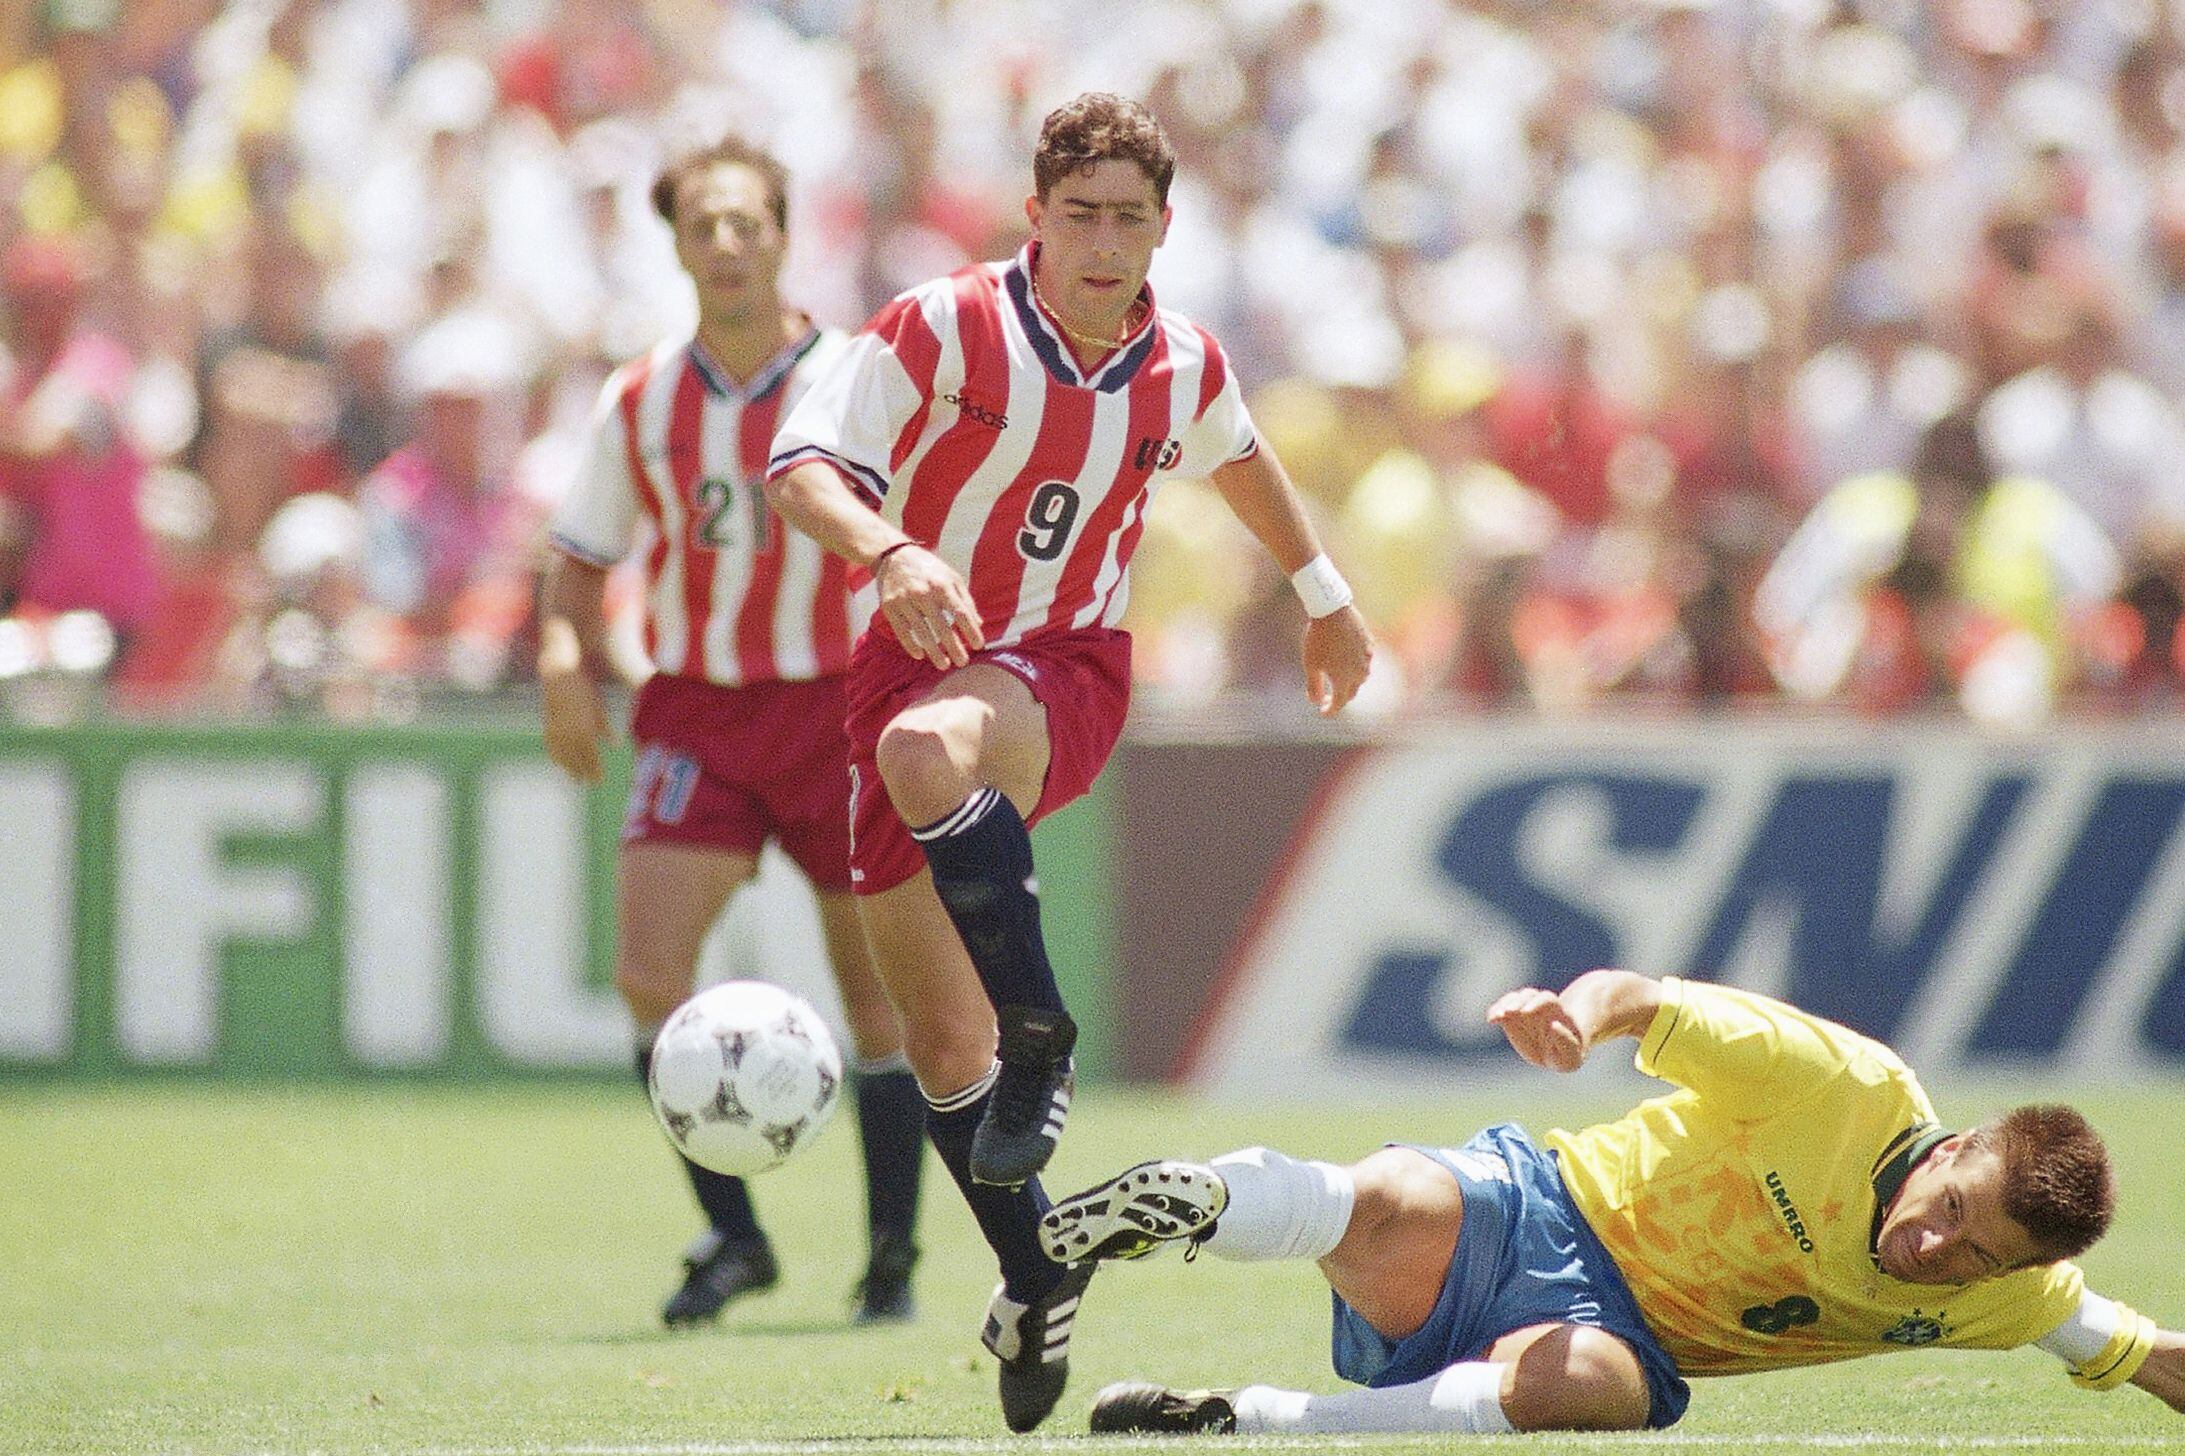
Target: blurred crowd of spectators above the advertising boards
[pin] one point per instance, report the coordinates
(1646, 351)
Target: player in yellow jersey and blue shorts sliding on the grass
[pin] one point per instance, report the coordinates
(1795, 1201)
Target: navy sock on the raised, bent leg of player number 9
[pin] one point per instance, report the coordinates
(982, 869)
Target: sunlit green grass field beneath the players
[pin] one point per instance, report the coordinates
(462, 1271)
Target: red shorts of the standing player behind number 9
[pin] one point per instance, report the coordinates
(729, 768)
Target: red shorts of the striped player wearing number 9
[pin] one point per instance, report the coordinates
(1083, 679)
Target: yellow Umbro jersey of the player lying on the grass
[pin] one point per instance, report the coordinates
(1743, 1206)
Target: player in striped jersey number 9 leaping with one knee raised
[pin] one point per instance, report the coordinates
(987, 449)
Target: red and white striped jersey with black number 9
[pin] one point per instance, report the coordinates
(960, 414)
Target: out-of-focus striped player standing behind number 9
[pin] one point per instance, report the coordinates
(740, 733)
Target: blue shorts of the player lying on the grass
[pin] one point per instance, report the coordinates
(1526, 1256)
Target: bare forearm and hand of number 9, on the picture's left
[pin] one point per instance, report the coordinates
(923, 598)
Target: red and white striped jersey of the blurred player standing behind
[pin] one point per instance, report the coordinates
(731, 594)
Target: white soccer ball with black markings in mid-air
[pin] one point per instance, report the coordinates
(744, 1075)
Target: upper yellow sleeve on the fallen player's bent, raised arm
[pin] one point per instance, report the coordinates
(1751, 1055)
